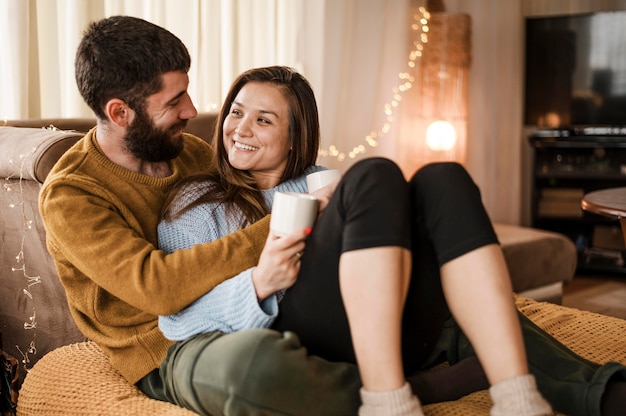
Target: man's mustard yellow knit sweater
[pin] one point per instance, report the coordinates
(101, 221)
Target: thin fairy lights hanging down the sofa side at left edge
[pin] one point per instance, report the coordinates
(16, 187)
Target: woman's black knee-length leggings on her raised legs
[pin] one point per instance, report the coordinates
(438, 214)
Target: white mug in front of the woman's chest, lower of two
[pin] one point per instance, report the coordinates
(292, 211)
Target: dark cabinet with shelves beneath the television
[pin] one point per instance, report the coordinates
(565, 166)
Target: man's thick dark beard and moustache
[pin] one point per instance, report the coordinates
(147, 142)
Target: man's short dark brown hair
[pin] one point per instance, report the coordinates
(125, 57)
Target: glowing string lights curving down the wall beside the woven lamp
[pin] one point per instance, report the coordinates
(406, 79)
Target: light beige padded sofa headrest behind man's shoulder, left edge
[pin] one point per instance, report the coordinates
(30, 153)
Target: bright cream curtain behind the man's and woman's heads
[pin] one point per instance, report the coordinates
(224, 38)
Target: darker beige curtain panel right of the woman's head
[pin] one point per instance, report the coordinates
(364, 54)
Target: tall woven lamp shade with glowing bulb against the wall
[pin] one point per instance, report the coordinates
(438, 97)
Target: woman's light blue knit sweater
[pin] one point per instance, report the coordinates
(232, 305)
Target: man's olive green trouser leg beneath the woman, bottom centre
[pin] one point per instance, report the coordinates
(253, 372)
